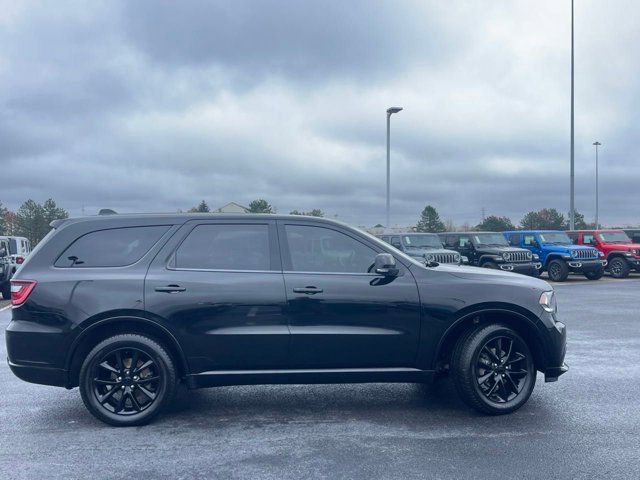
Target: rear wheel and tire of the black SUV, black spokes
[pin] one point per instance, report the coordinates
(114, 394)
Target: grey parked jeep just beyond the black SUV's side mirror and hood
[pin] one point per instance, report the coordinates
(426, 247)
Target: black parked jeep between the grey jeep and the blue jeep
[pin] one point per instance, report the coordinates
(491, 250)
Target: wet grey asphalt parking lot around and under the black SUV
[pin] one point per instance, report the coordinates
(587, 425)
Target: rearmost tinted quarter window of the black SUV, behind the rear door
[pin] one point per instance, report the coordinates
(116, 247)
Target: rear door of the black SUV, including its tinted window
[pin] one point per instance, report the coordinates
(219, 285)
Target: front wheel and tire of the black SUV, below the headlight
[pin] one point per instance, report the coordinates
(486, 384)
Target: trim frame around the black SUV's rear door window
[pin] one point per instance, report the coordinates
(274, 255)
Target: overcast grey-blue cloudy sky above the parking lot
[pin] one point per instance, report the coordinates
(155, 105)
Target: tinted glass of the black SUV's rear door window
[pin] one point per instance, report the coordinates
(225, 247)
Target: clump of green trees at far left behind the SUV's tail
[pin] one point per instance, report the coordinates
(31, 220)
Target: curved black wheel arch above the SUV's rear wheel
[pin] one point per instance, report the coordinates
(115, 325)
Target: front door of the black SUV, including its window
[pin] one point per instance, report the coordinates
(340, 314)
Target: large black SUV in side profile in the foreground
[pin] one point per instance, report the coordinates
(126, 307)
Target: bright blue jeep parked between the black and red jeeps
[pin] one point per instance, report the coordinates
(558, 254)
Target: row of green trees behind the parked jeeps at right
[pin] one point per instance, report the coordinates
(543, 219)
